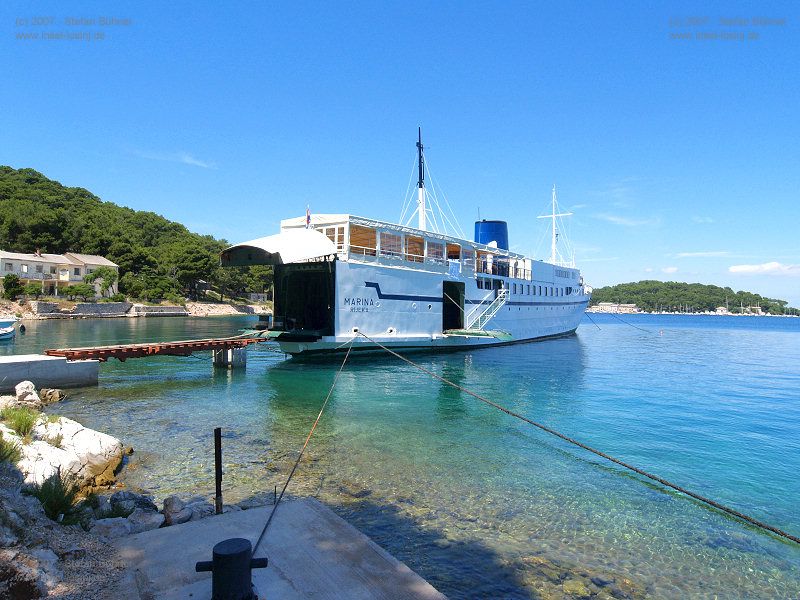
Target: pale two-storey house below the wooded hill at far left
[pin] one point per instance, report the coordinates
(54, 271)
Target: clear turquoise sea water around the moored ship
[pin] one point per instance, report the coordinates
(477, 502)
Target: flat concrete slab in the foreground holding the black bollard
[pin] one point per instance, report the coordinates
(312, 553)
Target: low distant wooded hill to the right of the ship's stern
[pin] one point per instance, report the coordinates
(670, 295)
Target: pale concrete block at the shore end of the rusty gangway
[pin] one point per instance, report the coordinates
(46, 371)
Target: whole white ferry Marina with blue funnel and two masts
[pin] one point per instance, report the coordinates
(341, 279)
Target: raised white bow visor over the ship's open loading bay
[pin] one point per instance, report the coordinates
(289, 246)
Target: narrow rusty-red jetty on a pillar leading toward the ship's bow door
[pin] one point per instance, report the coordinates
(224, 350)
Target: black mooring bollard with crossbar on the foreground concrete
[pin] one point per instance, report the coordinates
(231, 577)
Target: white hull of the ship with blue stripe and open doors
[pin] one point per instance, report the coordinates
(342, 304)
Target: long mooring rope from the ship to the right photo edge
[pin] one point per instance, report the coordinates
(566, 438)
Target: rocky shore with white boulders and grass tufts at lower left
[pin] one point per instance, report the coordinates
(67, 552)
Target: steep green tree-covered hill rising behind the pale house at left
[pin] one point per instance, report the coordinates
(158, 258)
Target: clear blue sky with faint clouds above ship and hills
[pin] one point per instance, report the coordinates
(672, 134)
